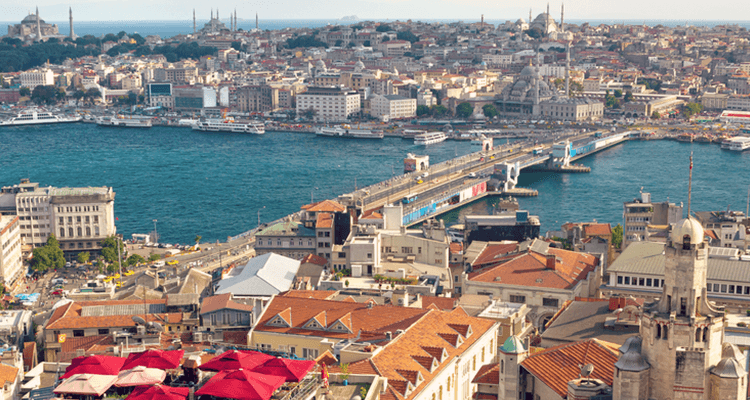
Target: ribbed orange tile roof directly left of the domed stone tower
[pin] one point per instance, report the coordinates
(558, 365)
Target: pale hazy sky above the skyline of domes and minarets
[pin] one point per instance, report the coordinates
(109, 10)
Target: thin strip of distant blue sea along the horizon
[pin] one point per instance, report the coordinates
(169, 28)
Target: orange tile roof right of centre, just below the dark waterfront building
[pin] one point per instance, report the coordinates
(530, 269)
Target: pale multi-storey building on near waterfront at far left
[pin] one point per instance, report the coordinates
(80, 218)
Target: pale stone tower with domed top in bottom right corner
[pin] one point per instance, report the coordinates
(680, 351)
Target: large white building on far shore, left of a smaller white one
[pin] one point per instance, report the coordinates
(330, 103)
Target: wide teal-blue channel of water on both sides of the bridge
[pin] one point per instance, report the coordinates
(214, 184)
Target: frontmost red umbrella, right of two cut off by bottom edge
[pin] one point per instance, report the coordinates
(242, 385)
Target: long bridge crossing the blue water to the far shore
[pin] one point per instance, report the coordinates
(454, 183)
